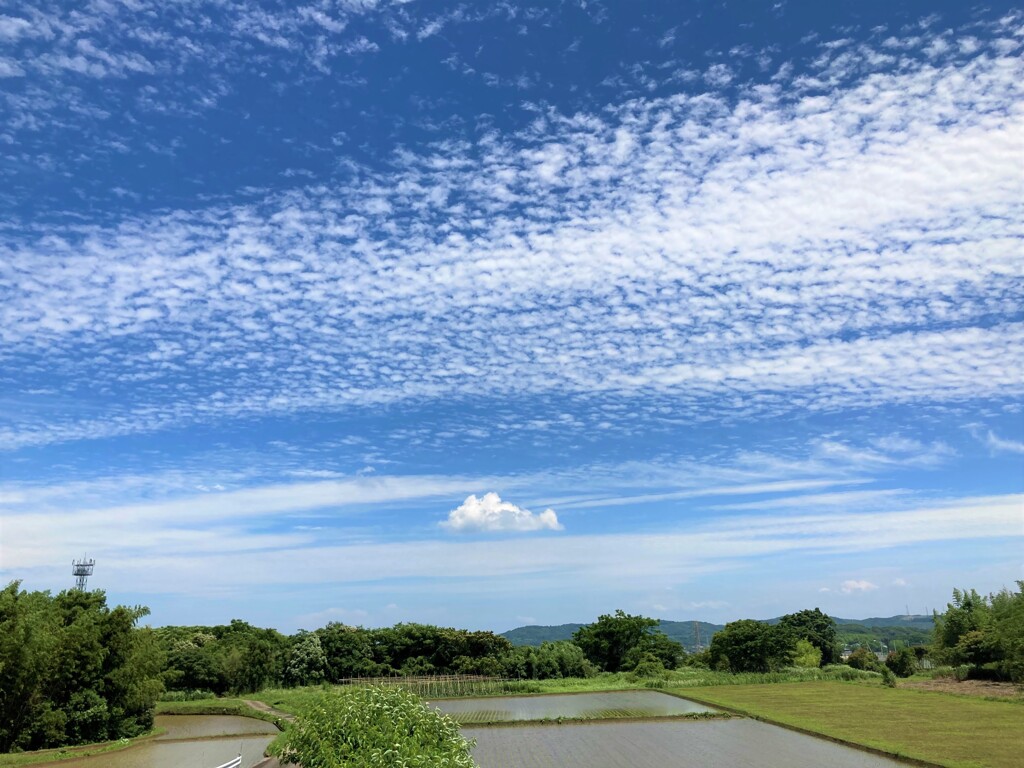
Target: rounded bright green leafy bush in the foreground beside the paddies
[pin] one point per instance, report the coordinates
(374, 728)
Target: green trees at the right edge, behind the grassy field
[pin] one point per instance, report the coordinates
(987, 634)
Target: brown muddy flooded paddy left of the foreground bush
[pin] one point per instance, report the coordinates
(203, 742)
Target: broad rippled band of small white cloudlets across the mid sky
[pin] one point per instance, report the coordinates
(877, 263)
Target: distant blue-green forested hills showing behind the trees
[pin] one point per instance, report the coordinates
(911, 630)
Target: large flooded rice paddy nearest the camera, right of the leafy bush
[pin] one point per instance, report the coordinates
(666, 744)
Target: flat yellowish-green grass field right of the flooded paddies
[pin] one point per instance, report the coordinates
(948, 731)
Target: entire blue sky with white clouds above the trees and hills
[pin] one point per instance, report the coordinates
(486, 315)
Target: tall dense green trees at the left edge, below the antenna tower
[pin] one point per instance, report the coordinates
(73, 670)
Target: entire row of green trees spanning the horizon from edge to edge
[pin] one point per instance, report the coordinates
(74, 670)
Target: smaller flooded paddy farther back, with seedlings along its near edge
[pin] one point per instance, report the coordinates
(631, 704)
